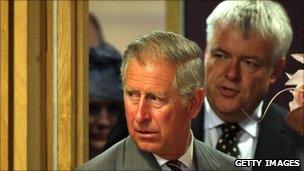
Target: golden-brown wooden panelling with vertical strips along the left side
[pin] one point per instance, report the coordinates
(43, 85)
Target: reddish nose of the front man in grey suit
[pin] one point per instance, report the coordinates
(142, 113)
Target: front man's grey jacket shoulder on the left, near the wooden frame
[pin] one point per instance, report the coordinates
(106, 160)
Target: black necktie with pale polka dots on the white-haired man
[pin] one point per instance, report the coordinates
(227, 143)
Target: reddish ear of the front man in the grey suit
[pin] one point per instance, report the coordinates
(195, 103)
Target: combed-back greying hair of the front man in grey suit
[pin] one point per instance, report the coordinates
(183, 55)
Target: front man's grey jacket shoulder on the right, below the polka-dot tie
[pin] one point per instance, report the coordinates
(214, 159)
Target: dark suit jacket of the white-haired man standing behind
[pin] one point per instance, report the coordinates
(275, 140)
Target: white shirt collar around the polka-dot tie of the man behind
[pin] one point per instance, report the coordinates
(248, 125)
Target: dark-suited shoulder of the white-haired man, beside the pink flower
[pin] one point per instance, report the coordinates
(276, 138)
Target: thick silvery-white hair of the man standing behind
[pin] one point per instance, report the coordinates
(266, 18)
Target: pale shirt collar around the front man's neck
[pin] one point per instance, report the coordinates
(186, 158)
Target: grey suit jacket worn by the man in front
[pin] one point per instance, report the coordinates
(125, 155)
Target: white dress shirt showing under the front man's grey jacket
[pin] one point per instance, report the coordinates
(186, 159)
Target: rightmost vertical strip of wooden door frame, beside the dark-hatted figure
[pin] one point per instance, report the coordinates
(82, 74)
